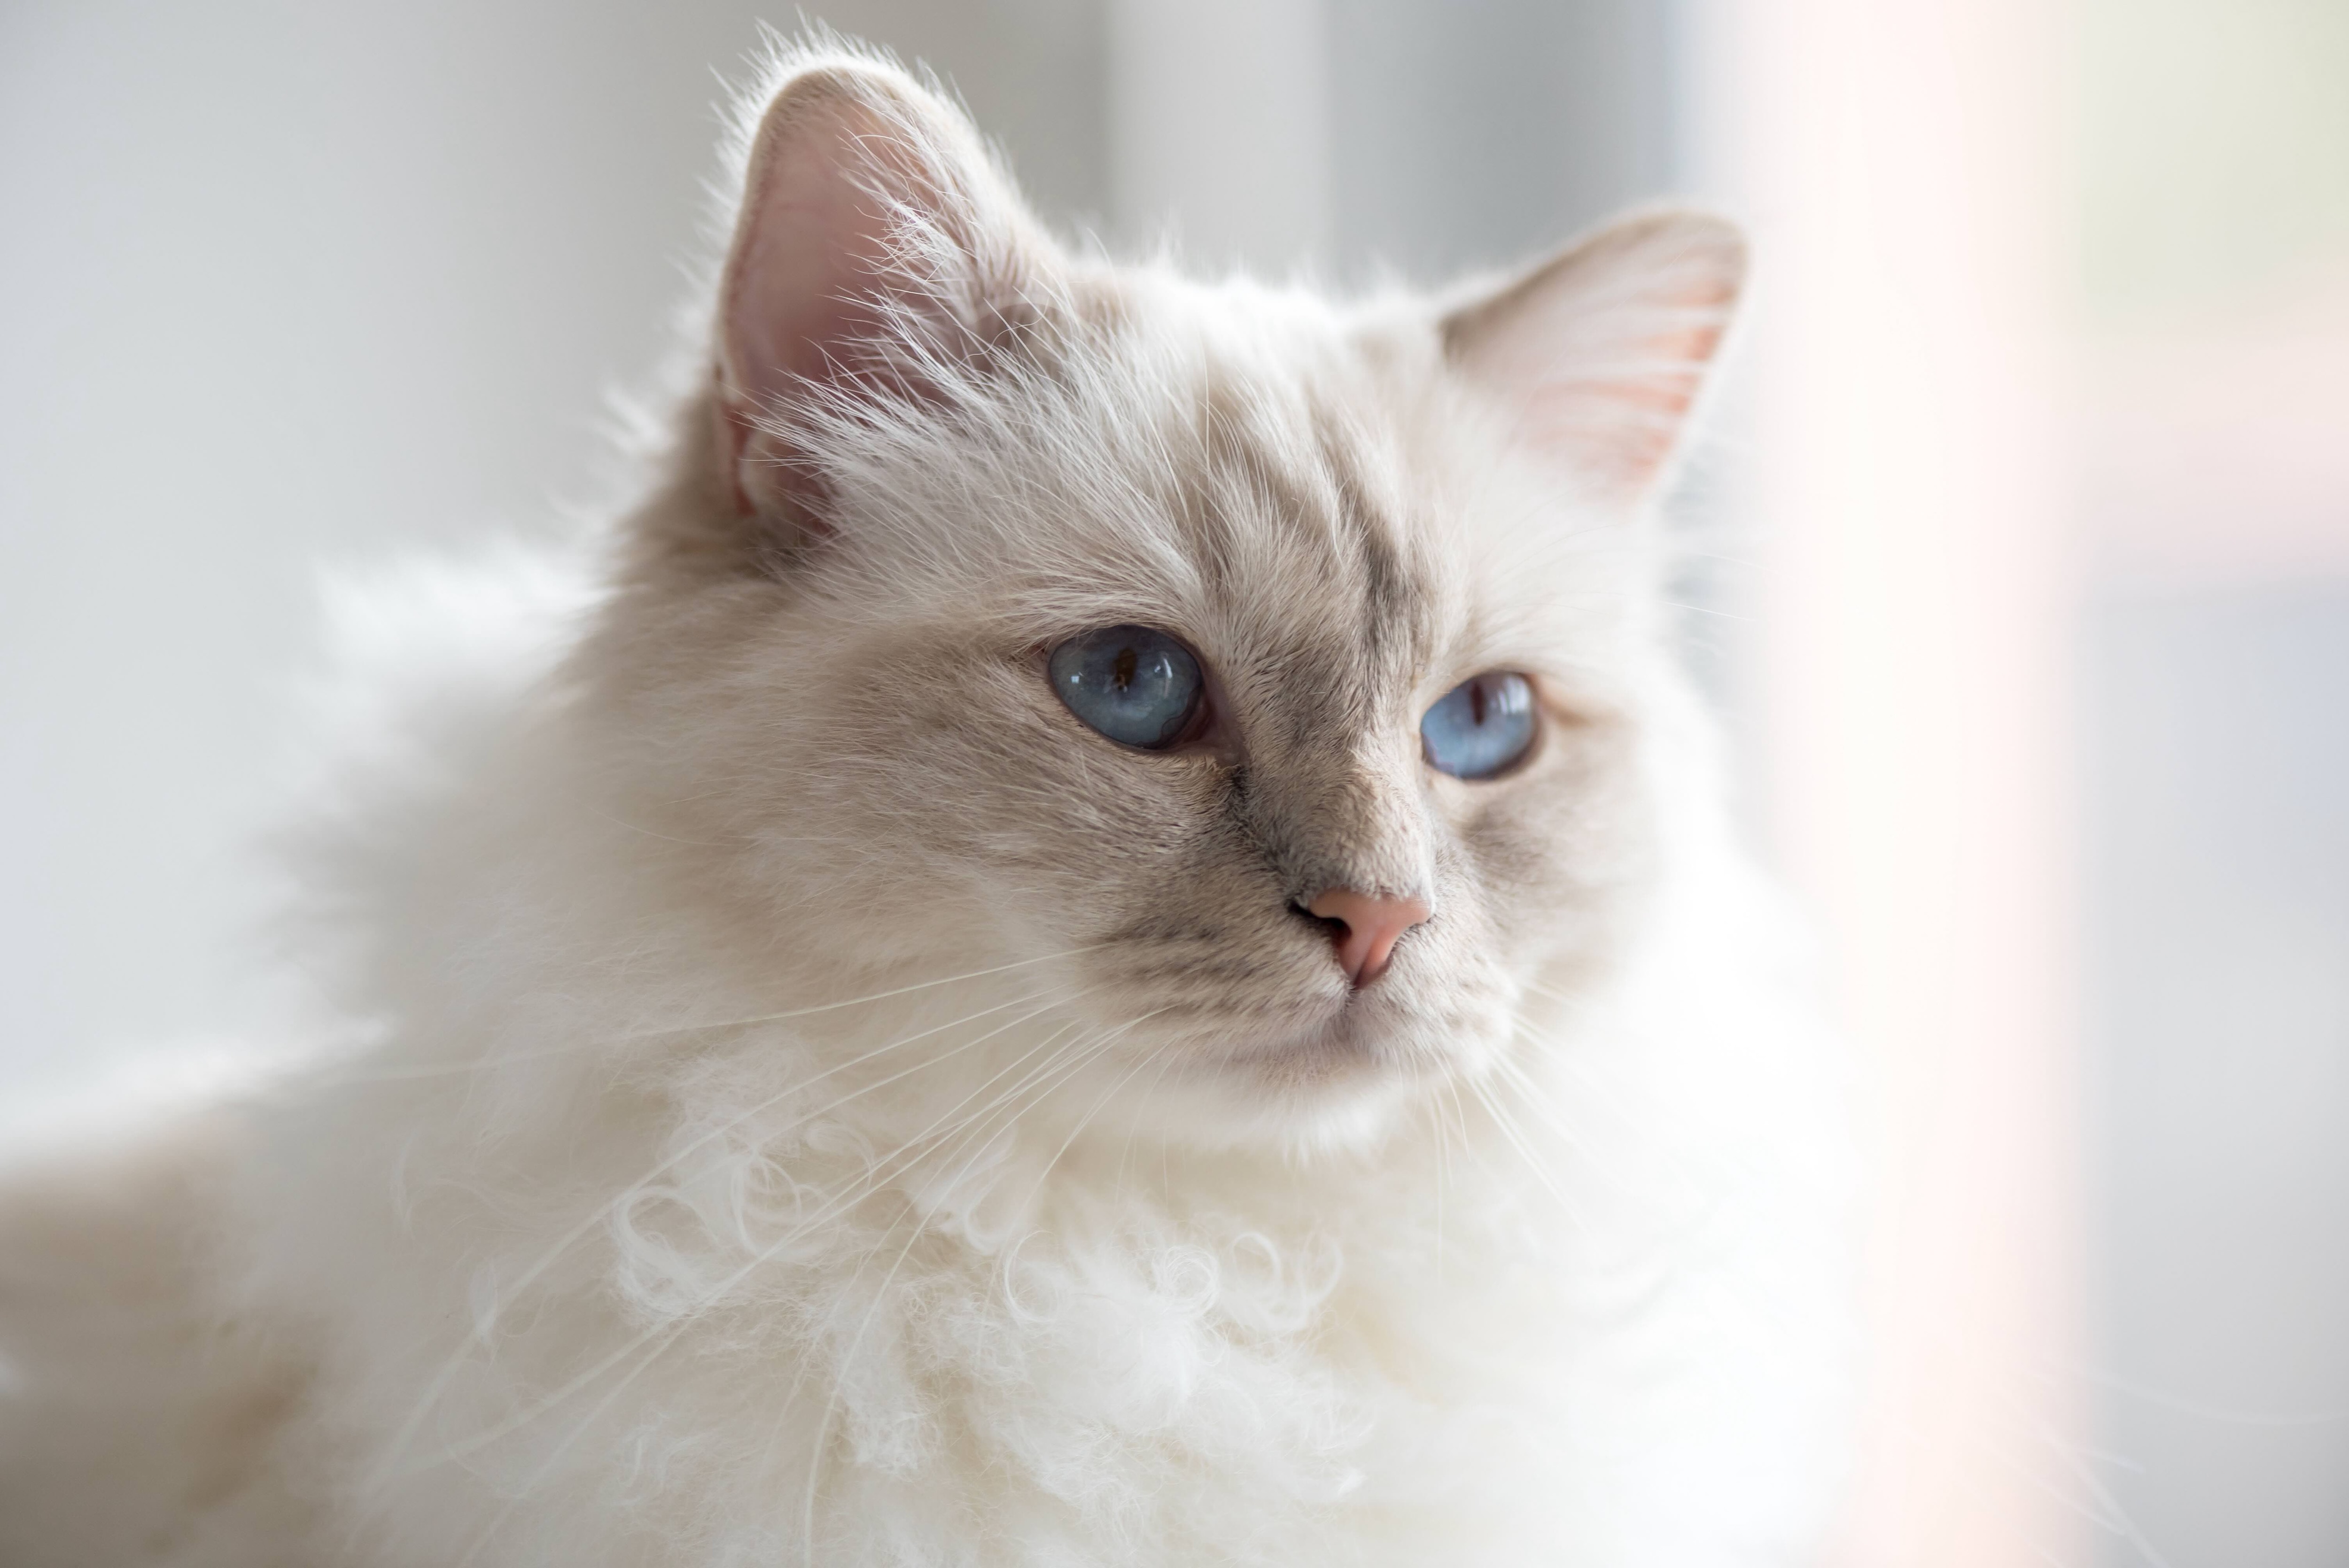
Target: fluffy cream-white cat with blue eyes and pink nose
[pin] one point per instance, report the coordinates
(1101, 933)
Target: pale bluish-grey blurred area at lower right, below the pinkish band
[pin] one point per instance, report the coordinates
(2219, 964)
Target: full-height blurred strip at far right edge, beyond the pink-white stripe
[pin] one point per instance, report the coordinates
(2216, 508)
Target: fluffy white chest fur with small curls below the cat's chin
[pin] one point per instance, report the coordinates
(765, 1309)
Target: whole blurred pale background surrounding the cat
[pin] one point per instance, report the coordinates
(2026, 557)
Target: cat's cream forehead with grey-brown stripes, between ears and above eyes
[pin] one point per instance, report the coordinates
(1293, 478)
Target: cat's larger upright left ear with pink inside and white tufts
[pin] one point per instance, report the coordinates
(880, 252)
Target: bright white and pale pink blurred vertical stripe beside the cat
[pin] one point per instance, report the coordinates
(1911, 489)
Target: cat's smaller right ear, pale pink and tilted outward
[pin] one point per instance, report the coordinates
(1603, 349)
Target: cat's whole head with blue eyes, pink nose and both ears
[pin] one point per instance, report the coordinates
(1267, 677)
